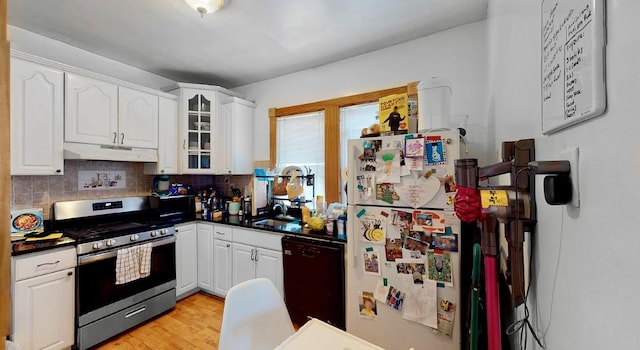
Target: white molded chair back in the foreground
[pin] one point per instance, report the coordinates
(255, 317)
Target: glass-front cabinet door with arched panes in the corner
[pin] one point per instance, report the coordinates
(200, 124)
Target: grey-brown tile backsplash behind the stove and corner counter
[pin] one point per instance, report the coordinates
(43, 191)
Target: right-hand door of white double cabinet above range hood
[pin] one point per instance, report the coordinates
(137, 118)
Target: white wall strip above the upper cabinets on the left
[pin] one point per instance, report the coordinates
(29, 42)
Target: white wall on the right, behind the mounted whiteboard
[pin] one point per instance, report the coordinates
(593, 250)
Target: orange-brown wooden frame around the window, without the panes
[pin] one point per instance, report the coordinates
(331, 109)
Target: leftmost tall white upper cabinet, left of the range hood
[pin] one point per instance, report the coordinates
(37, 119)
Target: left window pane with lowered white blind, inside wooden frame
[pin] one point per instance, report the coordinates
(301, 143)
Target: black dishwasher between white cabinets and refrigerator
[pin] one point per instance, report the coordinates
(314, 283)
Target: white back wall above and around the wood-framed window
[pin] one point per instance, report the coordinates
(458, 54)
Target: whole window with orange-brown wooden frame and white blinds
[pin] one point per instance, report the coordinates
(313, 140)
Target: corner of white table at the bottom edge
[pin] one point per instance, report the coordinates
(317, 335)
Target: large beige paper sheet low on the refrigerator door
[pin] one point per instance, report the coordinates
(420, 303)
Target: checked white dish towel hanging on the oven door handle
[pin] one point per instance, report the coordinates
(133, 263)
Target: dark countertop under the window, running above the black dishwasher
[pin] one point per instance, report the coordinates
(292, 228)
